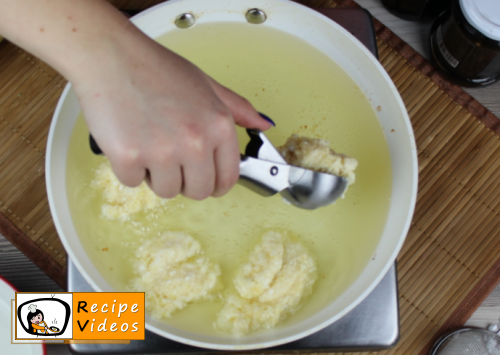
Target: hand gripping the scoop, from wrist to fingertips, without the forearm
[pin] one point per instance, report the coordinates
(170, 124)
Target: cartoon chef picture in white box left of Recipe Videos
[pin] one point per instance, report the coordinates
(43, 317)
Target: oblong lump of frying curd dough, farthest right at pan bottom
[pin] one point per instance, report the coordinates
(278, 274)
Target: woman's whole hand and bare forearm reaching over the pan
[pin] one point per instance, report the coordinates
(155, 115)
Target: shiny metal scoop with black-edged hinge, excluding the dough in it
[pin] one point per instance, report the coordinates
(264, 171)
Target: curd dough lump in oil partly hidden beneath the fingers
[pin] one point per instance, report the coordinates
(122, 201)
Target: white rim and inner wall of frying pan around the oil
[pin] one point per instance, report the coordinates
(365, 70)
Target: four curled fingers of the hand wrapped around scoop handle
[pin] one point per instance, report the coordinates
(201, 165)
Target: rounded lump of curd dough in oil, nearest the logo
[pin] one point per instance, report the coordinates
(172, 271)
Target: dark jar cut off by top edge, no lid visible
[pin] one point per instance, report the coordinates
(416, 10)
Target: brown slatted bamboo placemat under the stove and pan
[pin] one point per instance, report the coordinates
(451, 258)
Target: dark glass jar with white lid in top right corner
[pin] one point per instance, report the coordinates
(465, 42)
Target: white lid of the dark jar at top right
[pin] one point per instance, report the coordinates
(483, 15)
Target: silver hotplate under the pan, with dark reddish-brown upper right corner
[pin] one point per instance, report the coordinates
(372, 325)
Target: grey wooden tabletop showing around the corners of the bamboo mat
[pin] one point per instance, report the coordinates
(16, 268)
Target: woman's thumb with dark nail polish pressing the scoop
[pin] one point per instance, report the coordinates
(244, 114)
